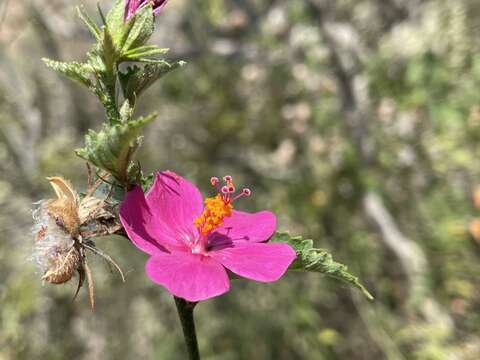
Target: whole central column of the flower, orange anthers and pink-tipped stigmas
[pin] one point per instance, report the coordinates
(218, 207)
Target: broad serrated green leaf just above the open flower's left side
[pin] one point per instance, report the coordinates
(112, 148)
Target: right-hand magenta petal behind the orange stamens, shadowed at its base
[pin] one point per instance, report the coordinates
(242, 226)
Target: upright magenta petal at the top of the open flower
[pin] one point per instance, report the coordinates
(176, 202)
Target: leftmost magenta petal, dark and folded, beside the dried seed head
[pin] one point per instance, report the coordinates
(146, 232)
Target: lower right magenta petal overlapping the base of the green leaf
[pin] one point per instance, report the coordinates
(256, 261)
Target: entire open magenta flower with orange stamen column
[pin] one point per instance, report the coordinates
(191, 245)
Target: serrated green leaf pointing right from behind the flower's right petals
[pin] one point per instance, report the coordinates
(317, 260)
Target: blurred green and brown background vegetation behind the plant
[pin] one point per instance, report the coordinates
(356, 121)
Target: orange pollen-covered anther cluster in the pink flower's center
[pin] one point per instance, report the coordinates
(216, 209)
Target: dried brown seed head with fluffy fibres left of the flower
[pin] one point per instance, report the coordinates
(63, 229)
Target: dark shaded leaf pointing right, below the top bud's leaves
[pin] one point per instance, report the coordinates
(138, 79)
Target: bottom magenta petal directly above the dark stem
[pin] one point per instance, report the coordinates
(188, 276)
